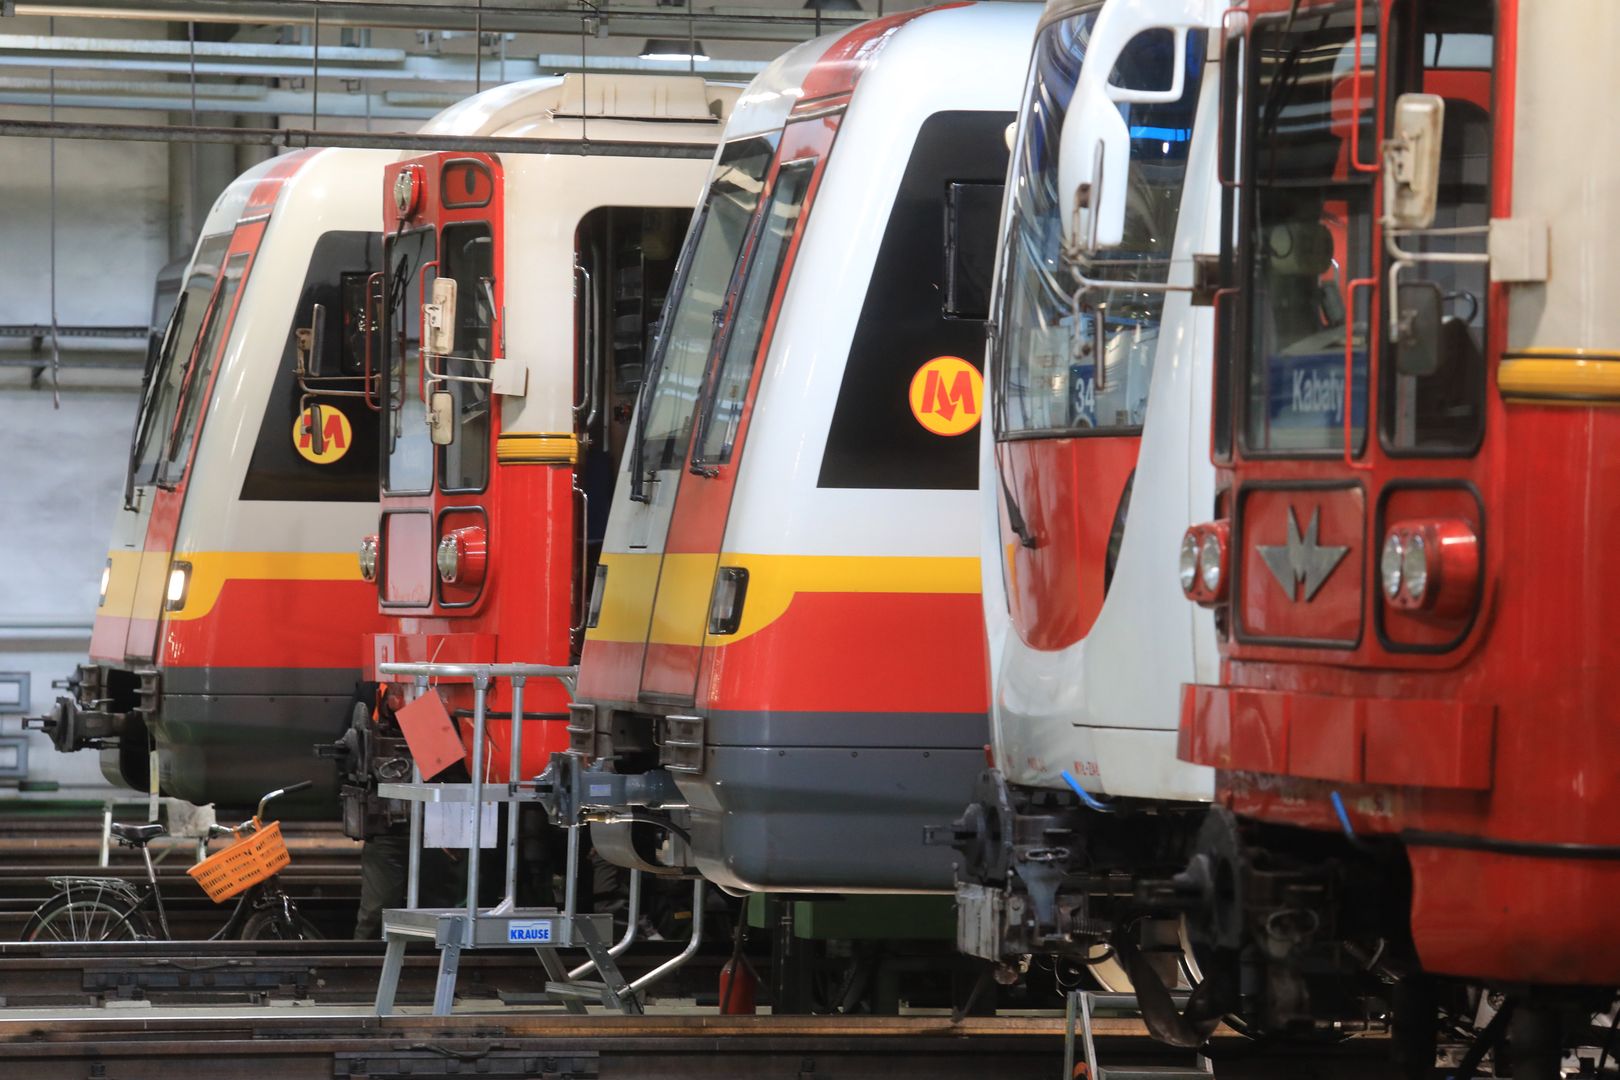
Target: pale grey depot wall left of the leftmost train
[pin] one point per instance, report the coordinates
(62, 467)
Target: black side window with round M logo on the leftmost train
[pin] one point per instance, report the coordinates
(346, 470)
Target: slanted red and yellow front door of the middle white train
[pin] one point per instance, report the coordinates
(694, 597)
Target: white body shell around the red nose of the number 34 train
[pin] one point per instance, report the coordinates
(1107, 707)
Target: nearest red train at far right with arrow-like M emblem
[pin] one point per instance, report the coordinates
(1412, 427)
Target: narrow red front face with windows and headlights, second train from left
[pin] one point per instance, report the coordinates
(441, 317)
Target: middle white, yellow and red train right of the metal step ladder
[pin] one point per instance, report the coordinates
(785, 639)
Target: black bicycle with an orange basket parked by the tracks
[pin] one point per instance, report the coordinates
(113, 909)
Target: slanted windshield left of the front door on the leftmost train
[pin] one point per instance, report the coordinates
(177, 385)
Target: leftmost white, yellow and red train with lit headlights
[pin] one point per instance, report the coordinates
(226, 640)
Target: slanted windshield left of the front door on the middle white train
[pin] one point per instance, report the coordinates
(701, 292)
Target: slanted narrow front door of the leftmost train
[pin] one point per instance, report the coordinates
(184, 386)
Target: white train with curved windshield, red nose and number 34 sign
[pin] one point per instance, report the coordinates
(1094, 461)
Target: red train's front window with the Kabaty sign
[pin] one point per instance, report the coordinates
(1308, 234)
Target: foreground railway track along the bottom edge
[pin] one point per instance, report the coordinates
(612, 1048)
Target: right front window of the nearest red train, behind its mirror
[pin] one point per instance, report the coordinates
(1436, 404)
